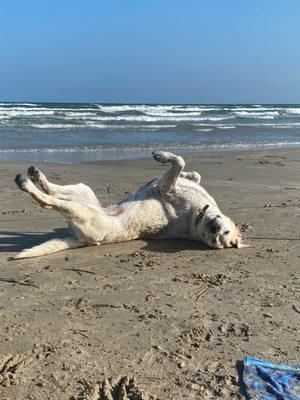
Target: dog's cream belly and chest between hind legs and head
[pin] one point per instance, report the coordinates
(147, 213)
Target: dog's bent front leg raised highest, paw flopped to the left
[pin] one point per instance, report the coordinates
(167, 182)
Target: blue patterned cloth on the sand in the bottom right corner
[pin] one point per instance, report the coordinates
(268, 381)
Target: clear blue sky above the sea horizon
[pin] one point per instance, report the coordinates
(147, 51)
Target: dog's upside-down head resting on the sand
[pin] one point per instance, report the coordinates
(217, 230)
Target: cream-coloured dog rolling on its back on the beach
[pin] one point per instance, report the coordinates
(172, 206)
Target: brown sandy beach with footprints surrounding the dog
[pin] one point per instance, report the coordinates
(174, 315)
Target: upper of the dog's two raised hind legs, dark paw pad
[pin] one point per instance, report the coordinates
(79, 193)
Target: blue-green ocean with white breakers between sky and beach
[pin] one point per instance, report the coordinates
(73, 132)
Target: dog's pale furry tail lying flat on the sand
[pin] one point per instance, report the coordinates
(52, 246)
